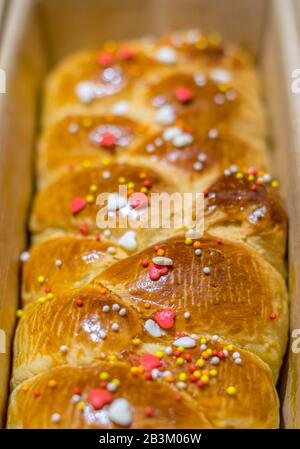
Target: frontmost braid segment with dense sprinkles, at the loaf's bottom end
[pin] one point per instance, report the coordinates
(210, 396)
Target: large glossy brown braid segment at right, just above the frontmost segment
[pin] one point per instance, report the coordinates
(236, 298)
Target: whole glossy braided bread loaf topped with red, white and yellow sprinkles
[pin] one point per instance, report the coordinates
(149, 327)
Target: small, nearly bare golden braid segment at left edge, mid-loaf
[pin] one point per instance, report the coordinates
(65, 263)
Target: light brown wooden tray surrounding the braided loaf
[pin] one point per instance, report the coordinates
(39, 33)
